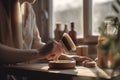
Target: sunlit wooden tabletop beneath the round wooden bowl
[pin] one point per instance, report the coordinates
(38, 68)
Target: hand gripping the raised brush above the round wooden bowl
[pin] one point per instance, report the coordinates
(52, 50)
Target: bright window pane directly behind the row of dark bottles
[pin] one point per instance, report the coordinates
(67, 11)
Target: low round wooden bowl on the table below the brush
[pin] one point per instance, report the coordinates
(62, 64)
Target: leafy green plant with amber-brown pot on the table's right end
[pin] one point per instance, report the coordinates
(108, 42)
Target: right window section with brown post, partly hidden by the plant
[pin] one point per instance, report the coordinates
(95, 12)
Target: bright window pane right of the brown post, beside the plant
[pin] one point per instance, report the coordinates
(101, 9)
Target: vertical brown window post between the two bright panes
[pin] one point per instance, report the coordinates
(87, 22)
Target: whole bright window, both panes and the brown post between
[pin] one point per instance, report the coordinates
(87, 15)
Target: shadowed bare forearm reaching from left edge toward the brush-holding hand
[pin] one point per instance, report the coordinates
(11, 55)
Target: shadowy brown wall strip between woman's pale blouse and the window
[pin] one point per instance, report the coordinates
(40, 6)
